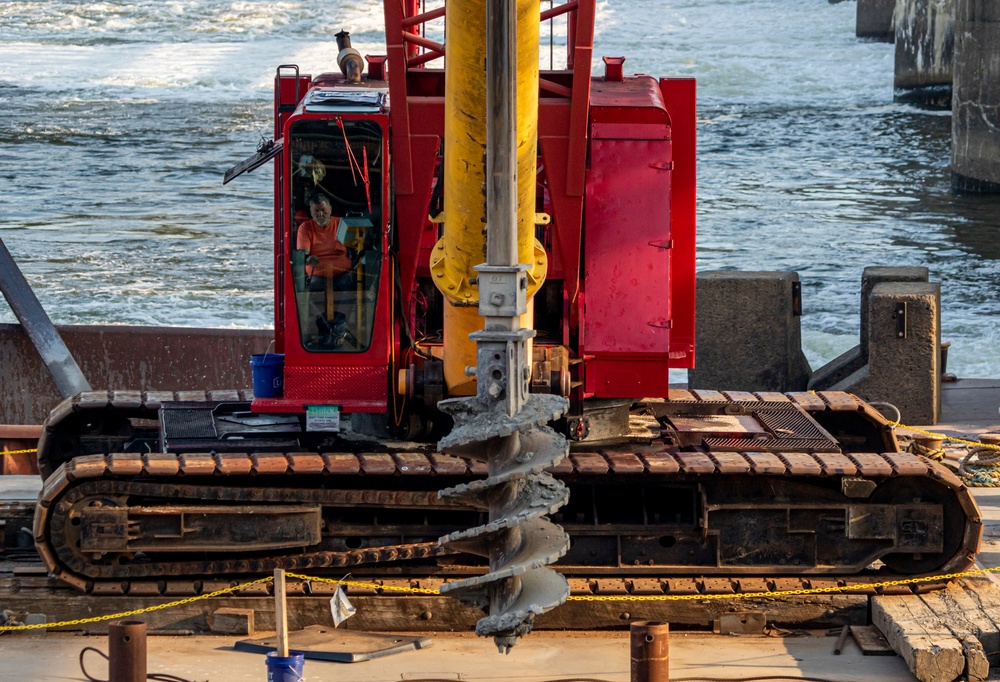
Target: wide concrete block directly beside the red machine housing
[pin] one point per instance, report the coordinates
(748, 332)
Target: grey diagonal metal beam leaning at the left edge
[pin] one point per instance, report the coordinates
(39, 328)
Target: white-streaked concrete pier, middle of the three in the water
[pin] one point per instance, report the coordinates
(925, 46)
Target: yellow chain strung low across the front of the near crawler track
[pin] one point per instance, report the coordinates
(429, 591)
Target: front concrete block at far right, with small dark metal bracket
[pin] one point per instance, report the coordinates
(904, 350)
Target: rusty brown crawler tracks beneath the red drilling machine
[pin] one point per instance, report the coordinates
(645, 518)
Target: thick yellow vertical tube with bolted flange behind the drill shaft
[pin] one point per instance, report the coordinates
(463, 245)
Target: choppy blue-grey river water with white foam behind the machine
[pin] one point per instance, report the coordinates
(119, 118)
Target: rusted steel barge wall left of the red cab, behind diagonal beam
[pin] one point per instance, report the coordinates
(124, 357)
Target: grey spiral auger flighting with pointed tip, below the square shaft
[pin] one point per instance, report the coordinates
(518, 541)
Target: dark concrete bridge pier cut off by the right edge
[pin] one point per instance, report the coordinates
(975, 121)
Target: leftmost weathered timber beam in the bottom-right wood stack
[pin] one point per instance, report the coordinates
(930, 650)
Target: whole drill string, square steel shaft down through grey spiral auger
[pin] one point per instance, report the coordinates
(503, 424)
